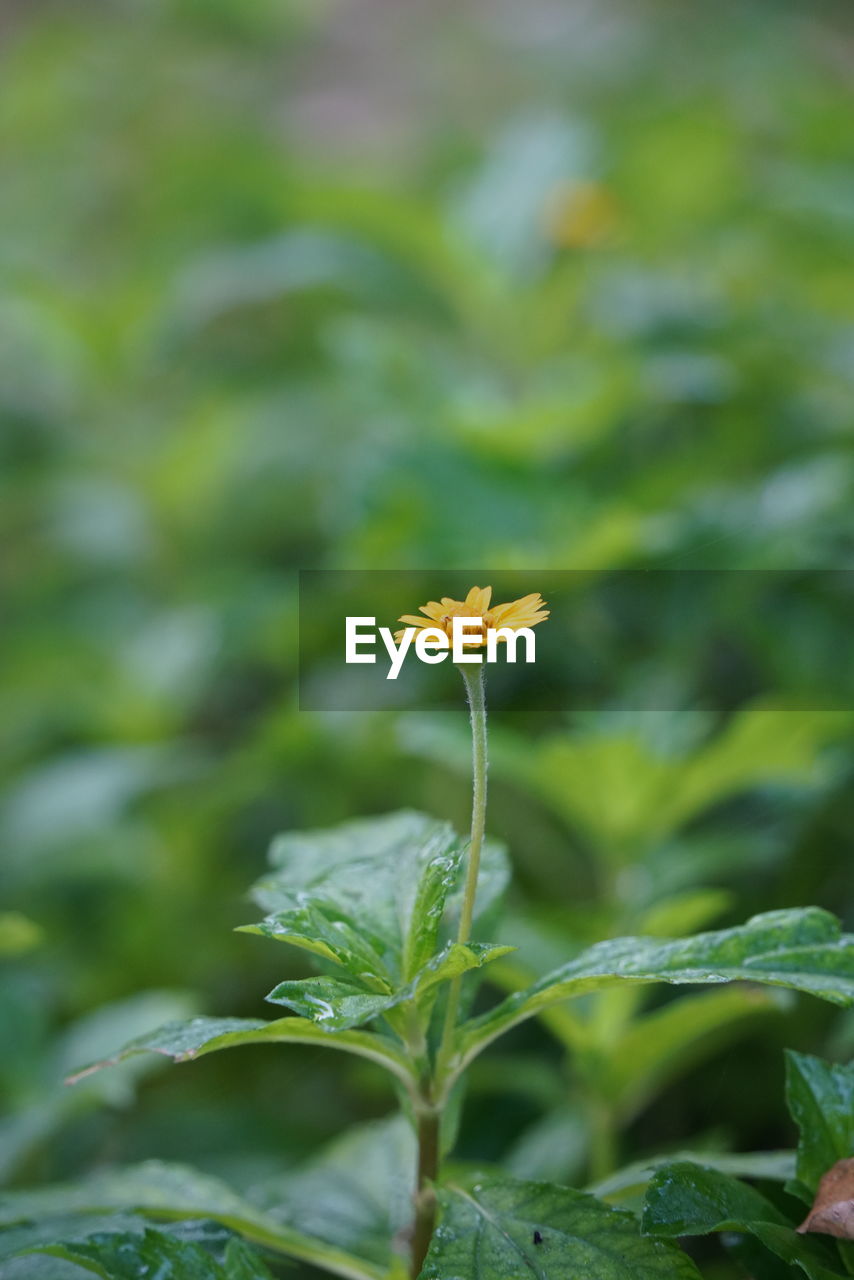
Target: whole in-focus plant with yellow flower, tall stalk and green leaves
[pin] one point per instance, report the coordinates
(395, 913)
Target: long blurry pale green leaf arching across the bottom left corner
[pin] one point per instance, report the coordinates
(175, 1194)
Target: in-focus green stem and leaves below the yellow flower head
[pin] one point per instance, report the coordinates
(387, 908)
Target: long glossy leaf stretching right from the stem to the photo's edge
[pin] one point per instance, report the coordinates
(800, 949)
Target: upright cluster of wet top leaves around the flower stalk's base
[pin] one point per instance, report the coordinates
(373, 899)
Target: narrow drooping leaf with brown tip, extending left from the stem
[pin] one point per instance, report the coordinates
(186, 1041)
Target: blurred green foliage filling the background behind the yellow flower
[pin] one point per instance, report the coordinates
(556, 286)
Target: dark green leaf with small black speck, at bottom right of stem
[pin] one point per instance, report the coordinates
(513, 1231)
